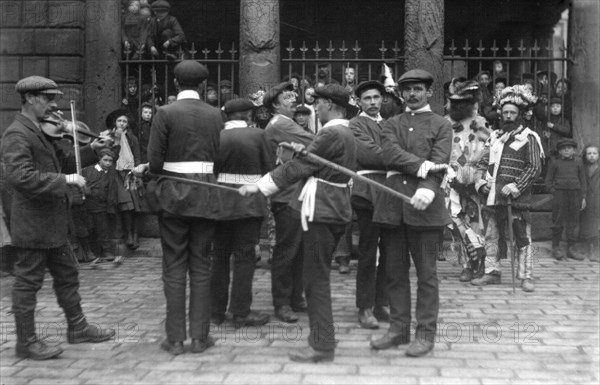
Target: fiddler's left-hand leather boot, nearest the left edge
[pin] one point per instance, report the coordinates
(28, 345)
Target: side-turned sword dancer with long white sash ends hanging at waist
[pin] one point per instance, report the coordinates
(323, 200)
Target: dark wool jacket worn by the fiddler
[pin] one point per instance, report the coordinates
(34, 167)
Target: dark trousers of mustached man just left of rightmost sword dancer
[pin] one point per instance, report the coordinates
(370, 277)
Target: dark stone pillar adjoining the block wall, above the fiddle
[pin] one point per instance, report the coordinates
(102, 83)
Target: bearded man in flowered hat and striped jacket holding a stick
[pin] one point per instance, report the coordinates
(511, 165)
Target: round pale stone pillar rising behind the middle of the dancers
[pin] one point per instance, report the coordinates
(259, 45)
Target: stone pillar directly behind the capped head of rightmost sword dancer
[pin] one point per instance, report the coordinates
(424, 43)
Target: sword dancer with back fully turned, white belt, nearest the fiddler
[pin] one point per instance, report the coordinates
(184, 142)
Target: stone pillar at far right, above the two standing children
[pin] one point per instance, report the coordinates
(584, 41)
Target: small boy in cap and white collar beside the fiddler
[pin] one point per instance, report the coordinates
(99, 202)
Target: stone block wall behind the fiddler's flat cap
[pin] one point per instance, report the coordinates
(41, 37)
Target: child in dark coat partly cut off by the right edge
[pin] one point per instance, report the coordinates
(589, 222)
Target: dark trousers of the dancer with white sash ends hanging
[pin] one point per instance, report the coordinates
(319, 243)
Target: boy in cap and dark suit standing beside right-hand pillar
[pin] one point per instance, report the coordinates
(566, 180)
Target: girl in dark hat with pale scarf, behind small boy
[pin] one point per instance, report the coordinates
(128, 157)
